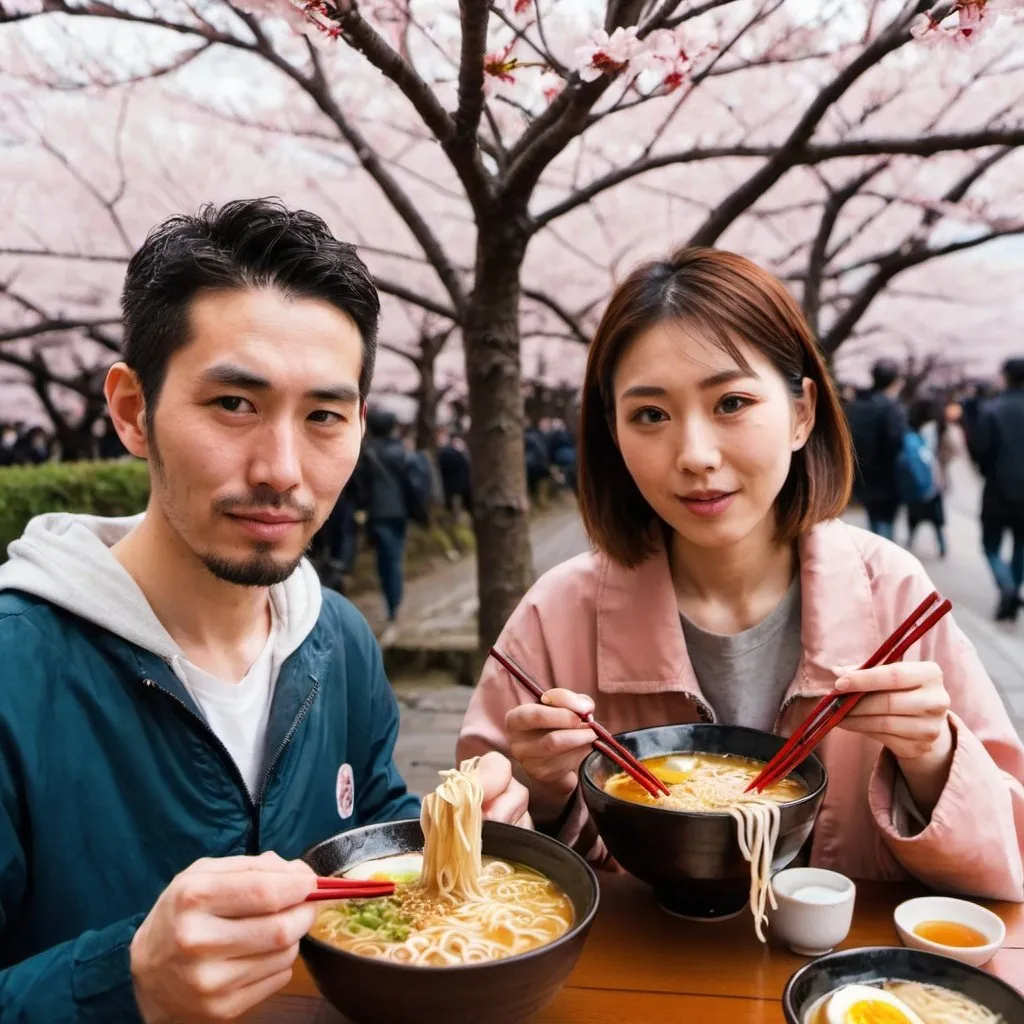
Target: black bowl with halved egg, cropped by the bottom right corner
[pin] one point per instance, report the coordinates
(877, 964)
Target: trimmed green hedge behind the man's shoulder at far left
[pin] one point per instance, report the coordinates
(99, 488)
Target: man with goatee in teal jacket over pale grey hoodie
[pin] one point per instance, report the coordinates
(183, 710)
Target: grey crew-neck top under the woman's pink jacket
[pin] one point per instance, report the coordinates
(746, 675)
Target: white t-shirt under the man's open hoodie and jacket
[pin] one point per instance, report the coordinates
(238, 713)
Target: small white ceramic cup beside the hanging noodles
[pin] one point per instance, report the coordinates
(816, 910)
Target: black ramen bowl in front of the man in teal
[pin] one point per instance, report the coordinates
(376, 992)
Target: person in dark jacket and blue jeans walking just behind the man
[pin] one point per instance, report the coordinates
(392, 492)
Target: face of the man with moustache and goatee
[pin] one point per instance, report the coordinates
(257, 431)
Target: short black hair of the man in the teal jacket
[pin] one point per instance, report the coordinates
(243, 244)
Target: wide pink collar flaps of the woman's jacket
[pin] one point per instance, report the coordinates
(641, 644)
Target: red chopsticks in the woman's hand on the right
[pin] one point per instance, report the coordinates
(833, 708)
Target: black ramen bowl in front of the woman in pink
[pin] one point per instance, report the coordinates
(693, 860)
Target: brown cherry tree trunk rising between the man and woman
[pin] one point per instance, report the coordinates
(501, 506)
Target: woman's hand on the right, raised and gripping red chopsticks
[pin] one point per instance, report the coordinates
(907, 709)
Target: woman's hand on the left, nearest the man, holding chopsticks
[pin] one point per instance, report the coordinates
(550, 741)
